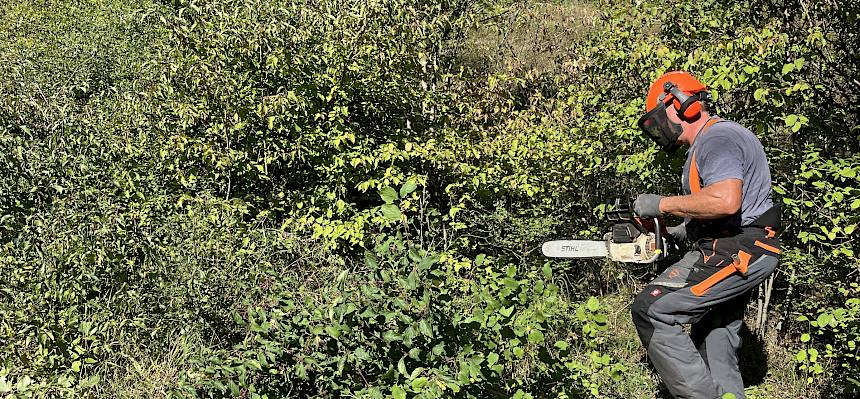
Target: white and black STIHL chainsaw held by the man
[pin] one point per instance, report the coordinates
(631, 239)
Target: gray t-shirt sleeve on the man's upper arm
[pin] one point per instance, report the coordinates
(721, 158)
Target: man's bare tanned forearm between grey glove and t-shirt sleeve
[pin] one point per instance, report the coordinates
(717, 200)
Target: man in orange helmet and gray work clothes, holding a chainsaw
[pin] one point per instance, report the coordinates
(731, 221)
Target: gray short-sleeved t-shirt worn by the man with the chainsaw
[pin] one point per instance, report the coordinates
(727, 150)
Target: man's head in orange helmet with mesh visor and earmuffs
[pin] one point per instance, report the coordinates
(674, 109)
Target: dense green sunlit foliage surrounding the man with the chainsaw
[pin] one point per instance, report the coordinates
(260, 198)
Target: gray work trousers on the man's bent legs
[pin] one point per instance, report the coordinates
(704, 365)
